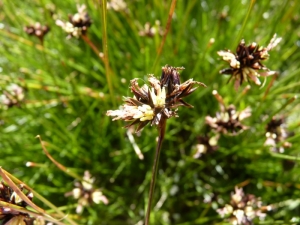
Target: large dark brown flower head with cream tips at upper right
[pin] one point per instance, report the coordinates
(246, 64)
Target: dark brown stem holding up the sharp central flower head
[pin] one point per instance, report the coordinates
(162, 129)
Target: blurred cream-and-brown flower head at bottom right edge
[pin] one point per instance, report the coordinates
(243, 208)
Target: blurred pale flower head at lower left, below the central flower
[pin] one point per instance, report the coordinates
(86, 194)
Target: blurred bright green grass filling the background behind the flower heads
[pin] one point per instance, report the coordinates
(67, 95)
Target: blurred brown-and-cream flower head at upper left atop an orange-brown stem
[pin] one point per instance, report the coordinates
(78, 23)
